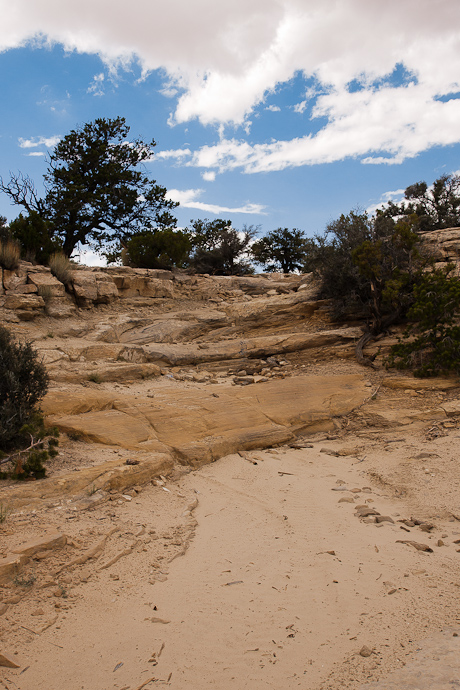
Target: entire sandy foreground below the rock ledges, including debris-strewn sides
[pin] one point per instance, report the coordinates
(267, 580)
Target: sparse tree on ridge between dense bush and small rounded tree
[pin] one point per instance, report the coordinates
(219, 249)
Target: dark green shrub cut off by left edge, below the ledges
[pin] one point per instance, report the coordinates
(25, 443)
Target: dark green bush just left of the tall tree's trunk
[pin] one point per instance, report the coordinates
(35, 236)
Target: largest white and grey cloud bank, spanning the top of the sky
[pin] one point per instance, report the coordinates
(221, 60)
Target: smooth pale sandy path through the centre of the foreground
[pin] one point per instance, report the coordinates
(256, 601)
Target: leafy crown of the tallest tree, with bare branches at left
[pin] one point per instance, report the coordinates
(96, 190)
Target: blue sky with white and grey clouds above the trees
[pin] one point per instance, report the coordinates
(271, 113)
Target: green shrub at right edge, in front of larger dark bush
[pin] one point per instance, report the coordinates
(432, 343)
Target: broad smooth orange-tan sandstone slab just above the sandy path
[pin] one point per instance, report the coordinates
(200, 429)
